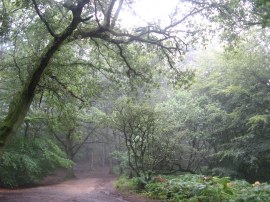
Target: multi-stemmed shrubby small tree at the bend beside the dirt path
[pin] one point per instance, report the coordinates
(151, 142)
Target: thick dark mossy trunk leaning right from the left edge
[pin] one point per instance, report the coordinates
(21, 102)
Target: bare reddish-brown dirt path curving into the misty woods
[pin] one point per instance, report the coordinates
(88, 186)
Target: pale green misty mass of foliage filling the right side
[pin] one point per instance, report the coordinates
(223, 120)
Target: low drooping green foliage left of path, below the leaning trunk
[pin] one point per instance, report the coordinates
(27, 161)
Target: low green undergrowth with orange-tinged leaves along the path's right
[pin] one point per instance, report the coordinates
(196, 188)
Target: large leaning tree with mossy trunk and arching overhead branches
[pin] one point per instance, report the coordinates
(52, 29)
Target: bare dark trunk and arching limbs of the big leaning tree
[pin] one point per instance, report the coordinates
(159, 38)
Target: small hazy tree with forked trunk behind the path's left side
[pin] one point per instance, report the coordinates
(72, 128)
